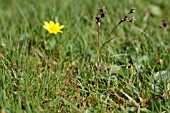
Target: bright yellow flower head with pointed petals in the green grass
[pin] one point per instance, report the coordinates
(52, 27)
